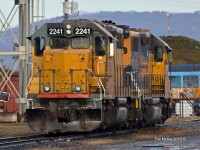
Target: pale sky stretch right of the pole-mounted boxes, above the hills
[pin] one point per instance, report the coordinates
(140, 5)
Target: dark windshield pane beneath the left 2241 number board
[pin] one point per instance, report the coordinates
(59, 42)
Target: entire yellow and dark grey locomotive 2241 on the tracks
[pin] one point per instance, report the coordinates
(89, 74)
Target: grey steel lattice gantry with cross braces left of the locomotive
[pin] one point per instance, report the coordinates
(20, 49)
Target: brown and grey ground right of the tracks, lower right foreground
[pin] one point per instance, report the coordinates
(178, 132)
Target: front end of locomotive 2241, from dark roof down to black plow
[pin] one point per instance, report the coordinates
(69, 69)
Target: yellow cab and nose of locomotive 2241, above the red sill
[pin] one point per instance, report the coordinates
(63, 50)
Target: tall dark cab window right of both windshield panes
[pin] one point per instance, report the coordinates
(100, 46)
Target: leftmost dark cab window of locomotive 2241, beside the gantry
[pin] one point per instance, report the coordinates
(39, 46)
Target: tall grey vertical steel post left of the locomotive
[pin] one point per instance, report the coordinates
(24, 22)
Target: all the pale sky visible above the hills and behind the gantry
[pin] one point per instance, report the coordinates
(54, 8)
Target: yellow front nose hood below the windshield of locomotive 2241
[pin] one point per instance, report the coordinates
(62, 62)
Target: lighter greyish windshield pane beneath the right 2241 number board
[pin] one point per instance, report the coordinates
(80, 42)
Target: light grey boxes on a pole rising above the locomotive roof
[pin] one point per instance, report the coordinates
(67, 8)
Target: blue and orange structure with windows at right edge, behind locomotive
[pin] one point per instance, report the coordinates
(185, 86)
